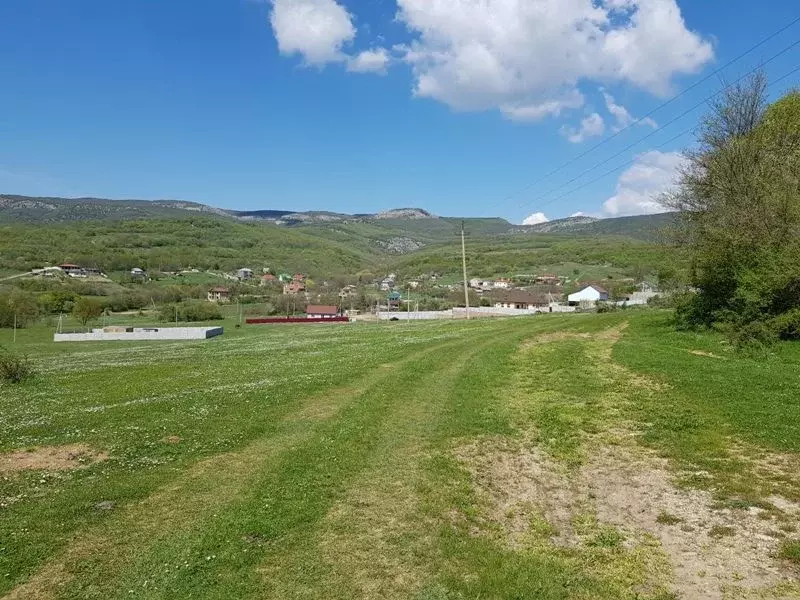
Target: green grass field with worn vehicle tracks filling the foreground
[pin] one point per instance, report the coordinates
(577, 456)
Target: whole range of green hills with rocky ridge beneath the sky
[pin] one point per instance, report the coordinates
(171, 235)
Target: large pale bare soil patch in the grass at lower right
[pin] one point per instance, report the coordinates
(630, 489)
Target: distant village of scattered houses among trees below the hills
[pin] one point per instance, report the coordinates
(427, 296)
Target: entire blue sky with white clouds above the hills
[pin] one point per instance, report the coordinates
(359, 106)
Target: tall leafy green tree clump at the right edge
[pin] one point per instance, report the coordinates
(739, 198)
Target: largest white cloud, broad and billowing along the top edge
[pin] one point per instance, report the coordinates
(520, 55)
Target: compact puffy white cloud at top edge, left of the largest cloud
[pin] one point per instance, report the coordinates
(315, 29)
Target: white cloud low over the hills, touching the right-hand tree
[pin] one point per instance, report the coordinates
(639, 188)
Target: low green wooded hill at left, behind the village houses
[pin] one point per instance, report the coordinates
(171, 244)
